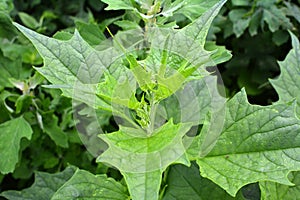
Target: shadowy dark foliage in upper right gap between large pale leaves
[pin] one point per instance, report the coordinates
(257, 33)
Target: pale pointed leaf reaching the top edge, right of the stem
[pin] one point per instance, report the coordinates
(190, 40)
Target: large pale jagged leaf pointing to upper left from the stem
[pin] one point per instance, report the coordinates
(73, 65)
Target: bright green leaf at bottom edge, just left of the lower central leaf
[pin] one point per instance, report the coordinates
(85, 185)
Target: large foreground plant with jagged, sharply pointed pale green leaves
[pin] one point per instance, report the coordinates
(169, 110)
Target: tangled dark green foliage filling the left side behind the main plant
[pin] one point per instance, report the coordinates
(35, 121)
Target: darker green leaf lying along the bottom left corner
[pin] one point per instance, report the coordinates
(44, 186)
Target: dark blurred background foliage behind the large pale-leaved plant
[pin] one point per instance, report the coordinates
(255, 31)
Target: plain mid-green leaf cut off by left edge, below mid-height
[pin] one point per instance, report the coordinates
(11, 133)
